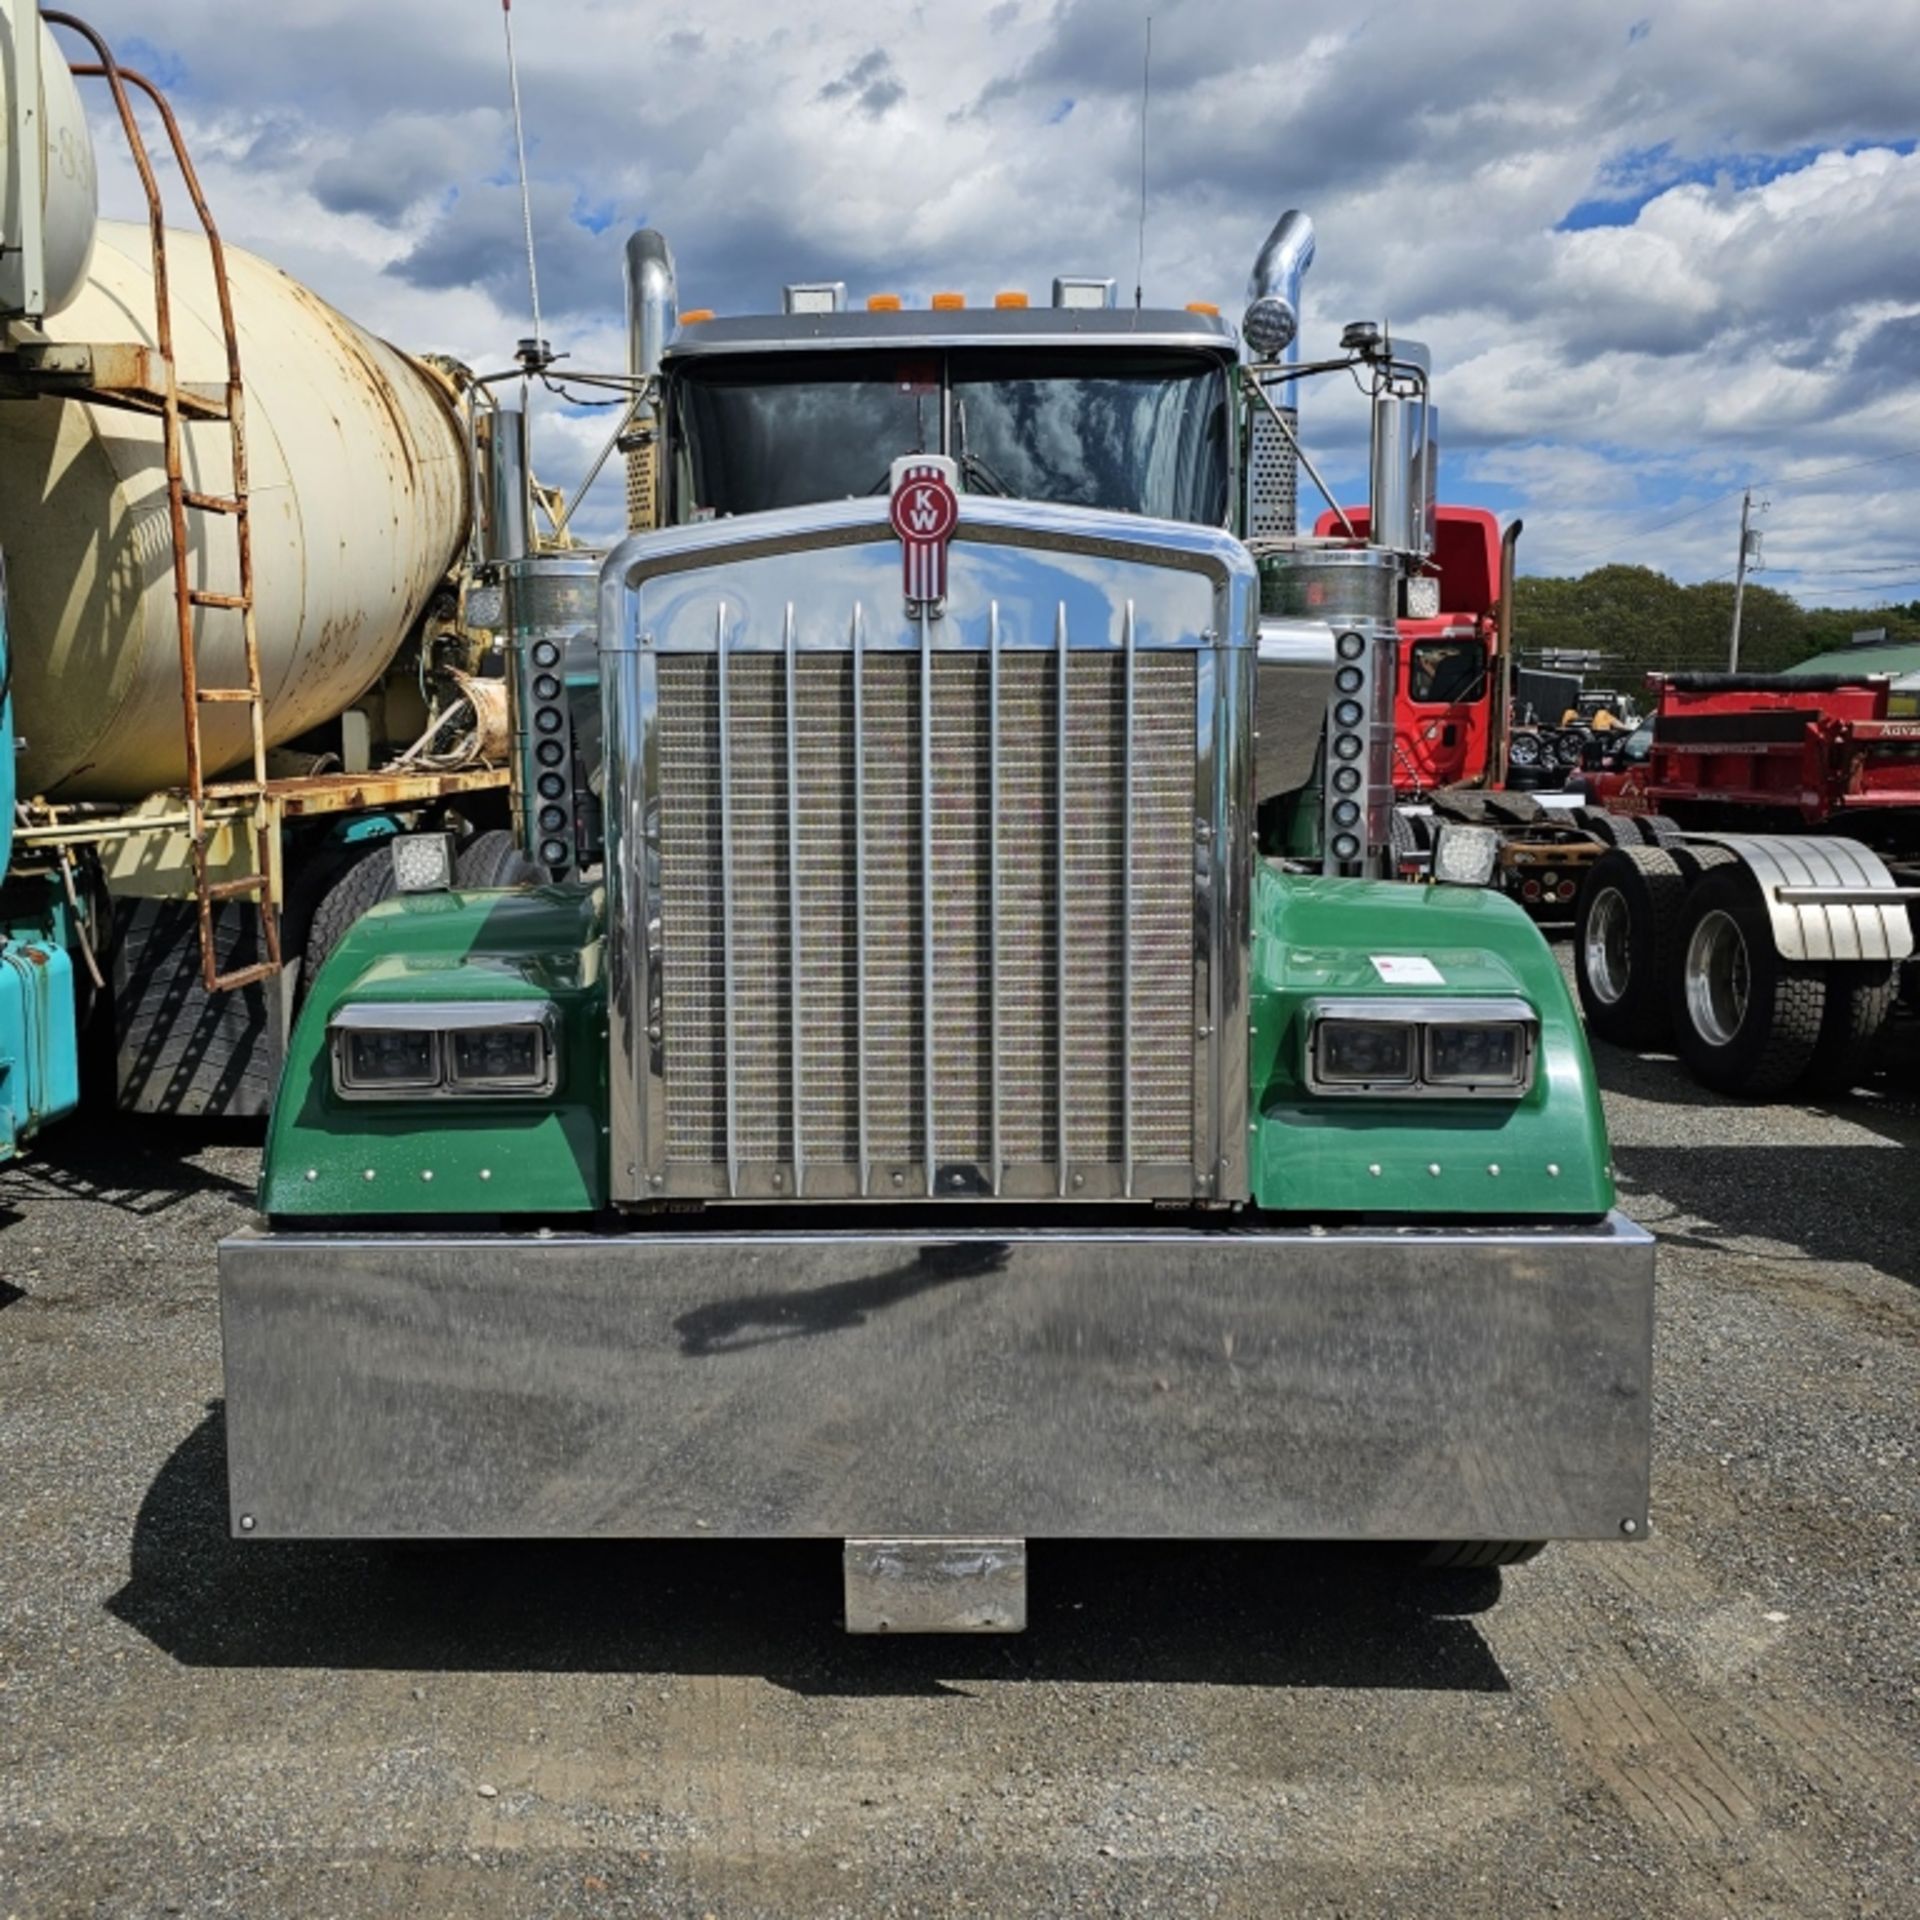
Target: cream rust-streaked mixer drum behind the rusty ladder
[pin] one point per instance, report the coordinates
(360, 506)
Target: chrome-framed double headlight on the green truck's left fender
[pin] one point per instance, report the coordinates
(400, 1051)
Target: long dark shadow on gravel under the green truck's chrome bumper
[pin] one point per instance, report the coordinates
(1232, 1616)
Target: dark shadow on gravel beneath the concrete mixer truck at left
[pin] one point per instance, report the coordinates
(132, 1163)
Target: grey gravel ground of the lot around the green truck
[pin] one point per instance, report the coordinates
(1723, 1721)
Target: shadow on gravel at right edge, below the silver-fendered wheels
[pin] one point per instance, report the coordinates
(1833, 1203)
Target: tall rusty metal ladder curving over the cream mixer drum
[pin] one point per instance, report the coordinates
(243, 802)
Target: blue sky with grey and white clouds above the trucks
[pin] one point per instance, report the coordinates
(1660, 252)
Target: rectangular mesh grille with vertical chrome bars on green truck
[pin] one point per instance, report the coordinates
(807, 898)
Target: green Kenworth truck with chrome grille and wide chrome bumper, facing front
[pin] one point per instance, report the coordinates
(953, 1074)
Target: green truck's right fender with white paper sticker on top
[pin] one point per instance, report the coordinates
(1322, 940)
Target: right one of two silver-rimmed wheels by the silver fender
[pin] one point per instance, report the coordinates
(1746, 1020)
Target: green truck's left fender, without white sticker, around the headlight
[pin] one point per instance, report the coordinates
(450, 1155)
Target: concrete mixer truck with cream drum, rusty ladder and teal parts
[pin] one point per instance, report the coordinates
(241, 646)
